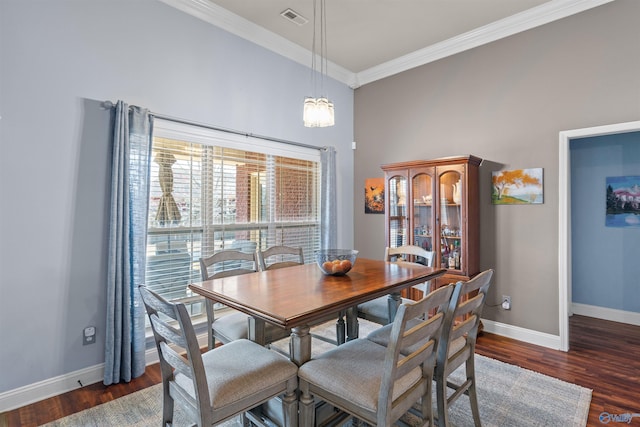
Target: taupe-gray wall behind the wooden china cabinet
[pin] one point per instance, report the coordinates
(505, 102)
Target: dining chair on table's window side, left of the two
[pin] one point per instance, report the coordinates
(235, 325)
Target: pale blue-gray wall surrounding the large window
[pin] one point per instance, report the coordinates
(58, 60)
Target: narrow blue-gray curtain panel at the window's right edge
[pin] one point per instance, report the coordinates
(329, 211)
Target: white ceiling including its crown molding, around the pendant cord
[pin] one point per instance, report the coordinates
(372, 39)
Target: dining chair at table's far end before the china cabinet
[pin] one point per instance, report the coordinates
(379, 310)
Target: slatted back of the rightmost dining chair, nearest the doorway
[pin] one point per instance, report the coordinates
(461, 325)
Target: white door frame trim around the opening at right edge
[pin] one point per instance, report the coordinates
(564, 216)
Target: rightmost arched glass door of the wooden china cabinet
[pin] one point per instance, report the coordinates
(451, 220)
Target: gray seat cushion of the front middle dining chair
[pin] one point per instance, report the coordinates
(353, 372)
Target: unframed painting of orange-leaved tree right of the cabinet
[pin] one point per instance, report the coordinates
(517, 187)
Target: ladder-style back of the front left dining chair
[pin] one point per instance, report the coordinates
(178, 351)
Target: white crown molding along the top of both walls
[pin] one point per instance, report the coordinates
(534, 17)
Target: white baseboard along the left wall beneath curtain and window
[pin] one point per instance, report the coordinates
(41, 390)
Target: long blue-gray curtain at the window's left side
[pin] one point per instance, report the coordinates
(125, 329)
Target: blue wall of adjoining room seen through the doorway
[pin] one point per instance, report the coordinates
(606, 271)
